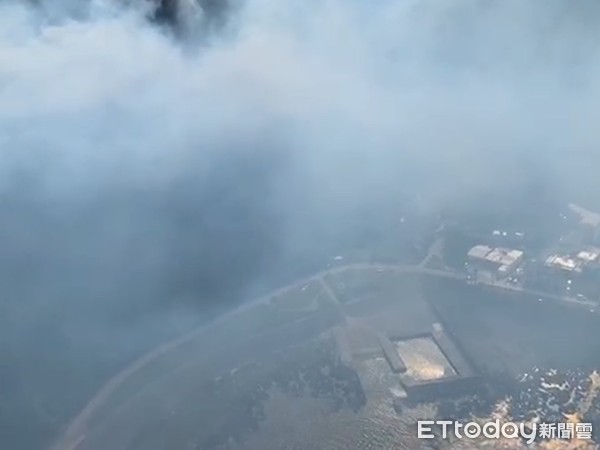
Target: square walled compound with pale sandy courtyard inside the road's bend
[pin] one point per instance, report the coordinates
(415, 367)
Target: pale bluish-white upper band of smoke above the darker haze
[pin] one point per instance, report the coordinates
(371, 83)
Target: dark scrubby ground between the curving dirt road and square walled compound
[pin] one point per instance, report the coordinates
(211, 410)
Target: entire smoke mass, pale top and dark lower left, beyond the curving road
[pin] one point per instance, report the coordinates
(135, 168)
